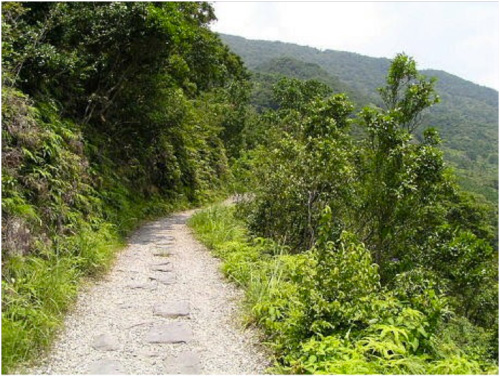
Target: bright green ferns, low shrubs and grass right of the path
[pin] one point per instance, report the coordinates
(324, 311)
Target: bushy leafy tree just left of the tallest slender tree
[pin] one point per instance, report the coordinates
(307, 146)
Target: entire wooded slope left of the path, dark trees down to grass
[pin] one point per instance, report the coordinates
(112, 112)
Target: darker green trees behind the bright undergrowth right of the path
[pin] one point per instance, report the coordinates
(391, 191)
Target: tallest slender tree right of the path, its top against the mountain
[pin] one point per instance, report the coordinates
(402, 181)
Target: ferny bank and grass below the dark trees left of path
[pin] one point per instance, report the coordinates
(63, 218)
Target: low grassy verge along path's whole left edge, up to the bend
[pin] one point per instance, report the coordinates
(37, 290)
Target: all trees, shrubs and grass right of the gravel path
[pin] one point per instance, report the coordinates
(360, 254)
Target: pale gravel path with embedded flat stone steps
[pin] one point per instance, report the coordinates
(163, 309)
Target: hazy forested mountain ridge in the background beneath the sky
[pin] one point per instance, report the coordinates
(466, 117)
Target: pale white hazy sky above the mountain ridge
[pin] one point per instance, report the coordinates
(458, 37)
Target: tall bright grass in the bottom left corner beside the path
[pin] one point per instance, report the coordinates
(38, 290)
